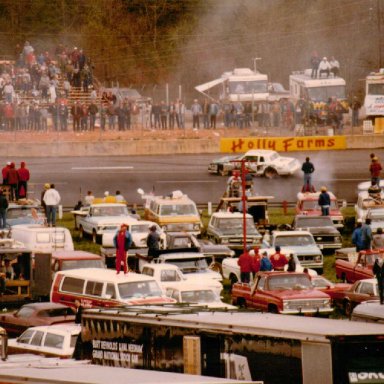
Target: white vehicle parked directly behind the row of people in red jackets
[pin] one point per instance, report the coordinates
(301, 243)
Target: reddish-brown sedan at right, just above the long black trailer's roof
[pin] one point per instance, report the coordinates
(361, 290)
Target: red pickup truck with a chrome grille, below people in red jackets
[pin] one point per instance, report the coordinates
(282, 292)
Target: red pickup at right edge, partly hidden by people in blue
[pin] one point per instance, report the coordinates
(357, 267)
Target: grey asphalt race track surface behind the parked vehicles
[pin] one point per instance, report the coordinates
(340, 171)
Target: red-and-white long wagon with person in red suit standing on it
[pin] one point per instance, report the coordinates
(97, 287)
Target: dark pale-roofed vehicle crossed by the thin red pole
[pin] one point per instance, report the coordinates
(227, 228)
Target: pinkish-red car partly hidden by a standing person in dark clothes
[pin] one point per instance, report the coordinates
(307, 204)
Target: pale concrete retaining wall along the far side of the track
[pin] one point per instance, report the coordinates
(144, 147)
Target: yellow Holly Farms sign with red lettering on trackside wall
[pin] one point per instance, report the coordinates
(283, 144)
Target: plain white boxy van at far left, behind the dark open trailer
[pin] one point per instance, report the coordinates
(39, 238)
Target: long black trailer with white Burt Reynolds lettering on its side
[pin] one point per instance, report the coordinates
(274, 348)
